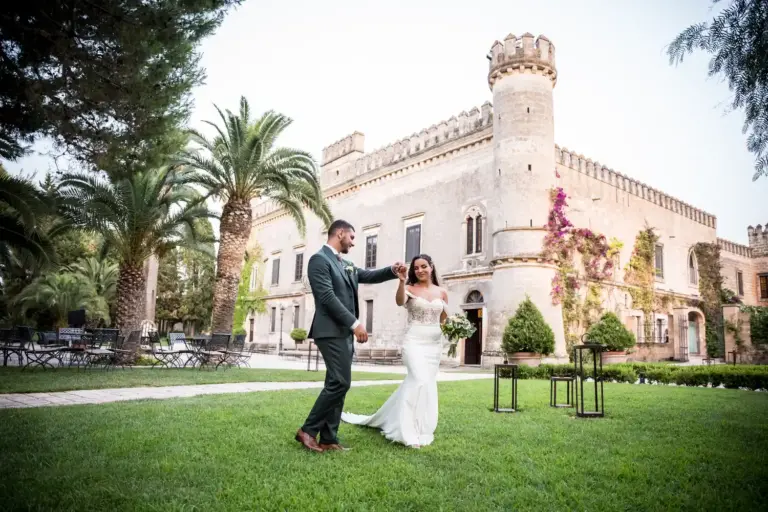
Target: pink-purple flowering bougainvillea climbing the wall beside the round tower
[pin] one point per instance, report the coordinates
(562, 242)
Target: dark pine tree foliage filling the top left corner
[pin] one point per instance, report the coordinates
(107, 80)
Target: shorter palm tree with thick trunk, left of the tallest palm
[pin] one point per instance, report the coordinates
(146, 213)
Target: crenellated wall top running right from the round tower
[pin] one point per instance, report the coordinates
(596, 170)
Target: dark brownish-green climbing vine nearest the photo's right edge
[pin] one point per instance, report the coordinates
(711, 292)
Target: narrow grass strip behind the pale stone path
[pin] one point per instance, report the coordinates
(13, 380)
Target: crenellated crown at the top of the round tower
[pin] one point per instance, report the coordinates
(524, 54)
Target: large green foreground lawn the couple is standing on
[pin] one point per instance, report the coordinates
(659, 448)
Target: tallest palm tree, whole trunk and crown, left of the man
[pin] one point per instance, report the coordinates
(242, 164)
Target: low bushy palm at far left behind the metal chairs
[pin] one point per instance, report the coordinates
(60, 293)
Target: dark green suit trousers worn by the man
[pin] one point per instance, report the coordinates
(325, 416)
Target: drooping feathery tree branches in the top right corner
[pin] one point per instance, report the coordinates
(737, 39)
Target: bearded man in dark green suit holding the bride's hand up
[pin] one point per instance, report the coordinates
(334, 286)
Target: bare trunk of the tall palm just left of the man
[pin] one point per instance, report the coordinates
(234, 230)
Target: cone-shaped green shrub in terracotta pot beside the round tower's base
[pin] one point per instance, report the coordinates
(527, 336)
